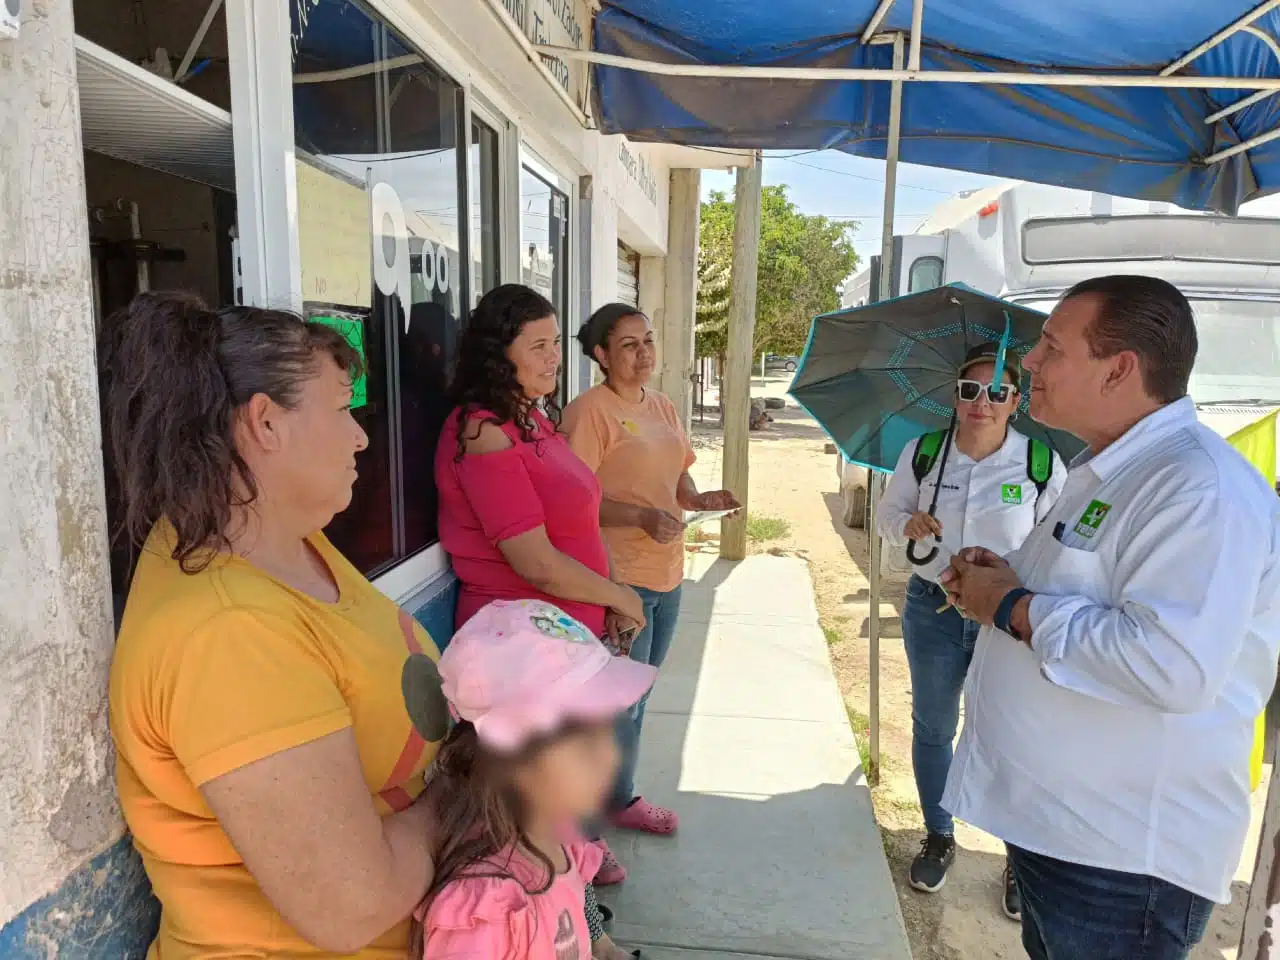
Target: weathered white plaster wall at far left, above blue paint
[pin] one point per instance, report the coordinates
(57, 798)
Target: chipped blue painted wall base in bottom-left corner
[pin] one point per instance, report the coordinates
(103, 912)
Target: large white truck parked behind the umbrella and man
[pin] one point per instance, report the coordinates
(1031, 244)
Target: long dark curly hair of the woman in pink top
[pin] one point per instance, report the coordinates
(484, 378)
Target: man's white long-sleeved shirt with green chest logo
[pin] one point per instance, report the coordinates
(1122, 738)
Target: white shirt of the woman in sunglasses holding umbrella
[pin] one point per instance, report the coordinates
(988, 504)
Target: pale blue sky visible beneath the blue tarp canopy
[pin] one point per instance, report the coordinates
(849, 188)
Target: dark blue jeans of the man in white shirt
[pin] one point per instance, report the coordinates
(1087, 913)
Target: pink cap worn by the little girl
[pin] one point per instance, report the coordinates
(522, 669)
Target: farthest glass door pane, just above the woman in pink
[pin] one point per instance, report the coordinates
(545, 252)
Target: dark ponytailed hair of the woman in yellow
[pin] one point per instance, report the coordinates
(175, 374)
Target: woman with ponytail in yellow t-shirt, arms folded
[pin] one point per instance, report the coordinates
(267, 762)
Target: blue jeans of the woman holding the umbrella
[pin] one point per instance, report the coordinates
(939, 651)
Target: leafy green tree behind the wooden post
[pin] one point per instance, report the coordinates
(803, 262)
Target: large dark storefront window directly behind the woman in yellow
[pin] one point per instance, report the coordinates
(381, 190)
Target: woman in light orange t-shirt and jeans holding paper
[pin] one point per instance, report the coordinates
(633, 440)
